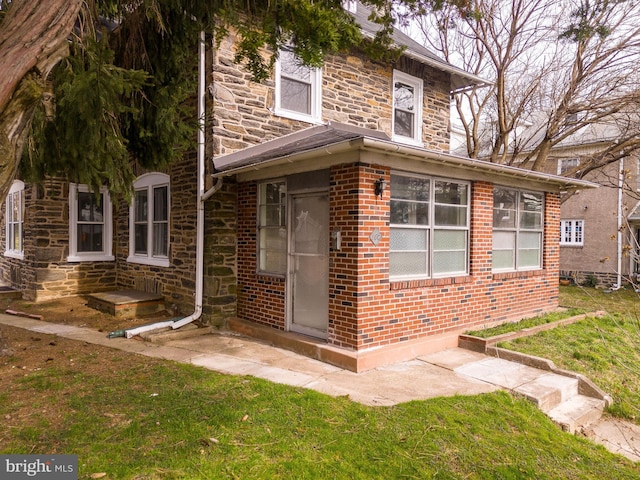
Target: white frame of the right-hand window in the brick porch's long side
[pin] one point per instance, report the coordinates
(518, 231)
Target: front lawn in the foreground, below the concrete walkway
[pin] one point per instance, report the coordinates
(171, 421)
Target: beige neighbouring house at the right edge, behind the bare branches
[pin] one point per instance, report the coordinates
(599, 228)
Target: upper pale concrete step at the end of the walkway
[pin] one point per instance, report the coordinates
(549, 390)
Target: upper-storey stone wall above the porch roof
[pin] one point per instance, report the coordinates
(355, 91)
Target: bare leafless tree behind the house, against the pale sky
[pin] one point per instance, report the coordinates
(557, 70)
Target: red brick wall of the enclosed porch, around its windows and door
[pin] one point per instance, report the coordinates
(365, 309)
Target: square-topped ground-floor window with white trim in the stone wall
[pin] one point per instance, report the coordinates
(90, 225)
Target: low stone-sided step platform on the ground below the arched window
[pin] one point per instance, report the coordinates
(127, 303)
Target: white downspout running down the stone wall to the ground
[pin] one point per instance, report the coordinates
(201, 197)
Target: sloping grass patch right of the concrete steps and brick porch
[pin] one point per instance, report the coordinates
(606, 350)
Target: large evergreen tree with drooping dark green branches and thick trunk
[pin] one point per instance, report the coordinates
(97, 84)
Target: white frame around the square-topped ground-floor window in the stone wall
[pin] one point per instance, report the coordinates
(107, 230)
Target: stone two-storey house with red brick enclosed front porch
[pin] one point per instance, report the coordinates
(337, 213)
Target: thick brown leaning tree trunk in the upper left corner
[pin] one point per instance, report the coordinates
(33, 38)
